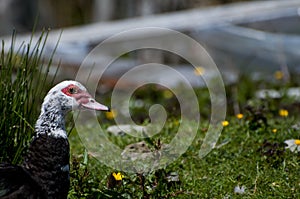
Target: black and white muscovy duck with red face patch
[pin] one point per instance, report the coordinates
(45, 170)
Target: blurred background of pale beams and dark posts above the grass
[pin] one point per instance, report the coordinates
(243, 37)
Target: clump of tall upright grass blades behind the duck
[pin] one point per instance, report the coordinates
(22, 89)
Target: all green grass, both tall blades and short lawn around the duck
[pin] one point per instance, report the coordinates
(247, 154)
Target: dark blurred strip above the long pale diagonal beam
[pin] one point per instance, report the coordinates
(22, 14)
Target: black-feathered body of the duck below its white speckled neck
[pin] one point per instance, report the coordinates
(44, 172)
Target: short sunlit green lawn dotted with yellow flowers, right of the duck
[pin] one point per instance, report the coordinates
(247, 154)
